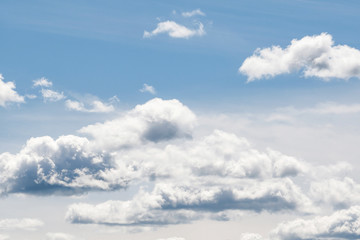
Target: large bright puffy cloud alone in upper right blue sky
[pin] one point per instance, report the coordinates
(316, 56)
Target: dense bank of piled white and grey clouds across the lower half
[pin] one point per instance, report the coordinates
(191, 178)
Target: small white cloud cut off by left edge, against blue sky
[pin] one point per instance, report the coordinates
(8, 93)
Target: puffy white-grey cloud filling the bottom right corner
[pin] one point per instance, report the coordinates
(344, 224)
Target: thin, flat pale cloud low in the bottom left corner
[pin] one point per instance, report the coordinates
(20, 224)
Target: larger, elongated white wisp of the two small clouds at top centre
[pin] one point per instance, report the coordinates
(175, 30)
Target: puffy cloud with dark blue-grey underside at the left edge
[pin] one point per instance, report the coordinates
(62, 166)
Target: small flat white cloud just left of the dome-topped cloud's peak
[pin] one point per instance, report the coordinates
(95, 106)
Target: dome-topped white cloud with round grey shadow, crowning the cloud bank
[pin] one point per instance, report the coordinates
(154, 121)
